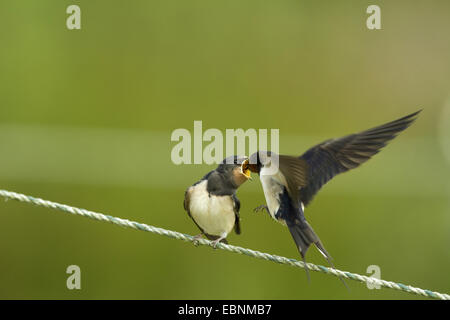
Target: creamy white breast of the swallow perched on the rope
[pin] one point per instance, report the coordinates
(214, 214)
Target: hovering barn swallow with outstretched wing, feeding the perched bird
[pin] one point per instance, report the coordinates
(291, 188)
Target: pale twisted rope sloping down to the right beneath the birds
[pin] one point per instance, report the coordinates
(252, 253)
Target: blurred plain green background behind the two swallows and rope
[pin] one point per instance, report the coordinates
(86, 117)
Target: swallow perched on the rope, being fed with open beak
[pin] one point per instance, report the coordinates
(212, 202)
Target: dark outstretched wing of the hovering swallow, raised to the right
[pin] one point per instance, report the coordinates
(335, 156)
